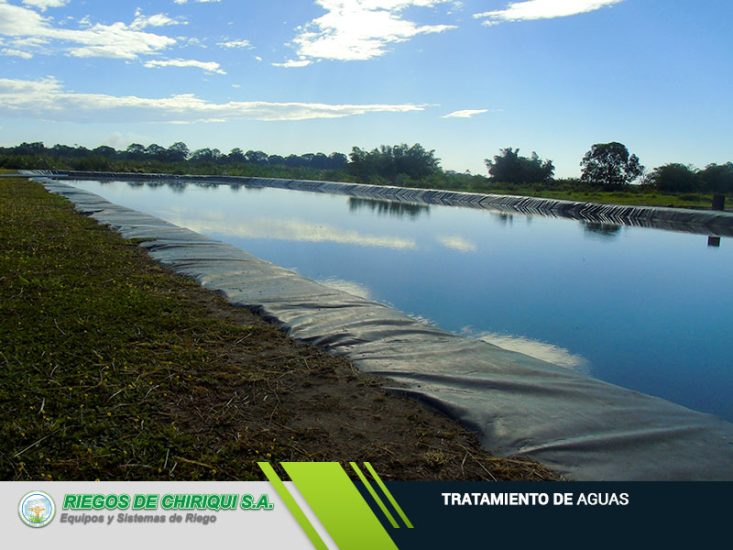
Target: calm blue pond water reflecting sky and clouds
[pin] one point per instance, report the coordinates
(646, 309)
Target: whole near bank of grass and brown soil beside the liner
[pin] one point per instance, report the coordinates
(111, 367)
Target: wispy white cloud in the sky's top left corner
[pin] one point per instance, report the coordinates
(116, 40)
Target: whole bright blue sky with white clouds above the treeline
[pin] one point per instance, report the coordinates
(465, 78)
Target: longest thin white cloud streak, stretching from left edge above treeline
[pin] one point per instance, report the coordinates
(47, 99)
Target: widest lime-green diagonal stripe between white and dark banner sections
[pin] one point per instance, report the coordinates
(339, 506)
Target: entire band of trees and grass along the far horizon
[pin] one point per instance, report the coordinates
(607, 170)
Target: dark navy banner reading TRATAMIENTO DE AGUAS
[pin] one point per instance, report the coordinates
(563, 515)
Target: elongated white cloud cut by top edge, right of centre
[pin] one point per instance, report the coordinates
(542, 9)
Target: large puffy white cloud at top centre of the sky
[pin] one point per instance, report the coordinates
(353, 30)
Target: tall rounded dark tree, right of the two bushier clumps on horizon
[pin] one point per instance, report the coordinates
(610, 165)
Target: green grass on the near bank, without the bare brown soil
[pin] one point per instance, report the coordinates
(89, 344)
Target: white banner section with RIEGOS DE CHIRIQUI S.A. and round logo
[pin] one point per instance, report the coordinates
(146, 515)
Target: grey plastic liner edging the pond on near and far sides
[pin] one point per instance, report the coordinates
(580, 426)
